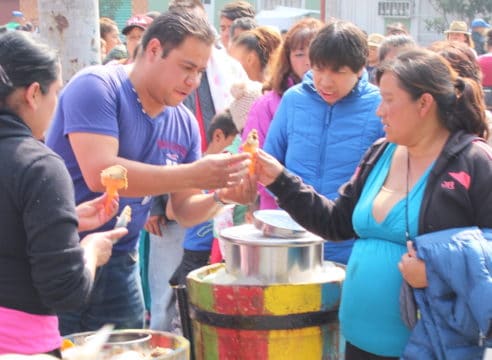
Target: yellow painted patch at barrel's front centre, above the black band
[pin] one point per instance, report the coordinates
(292, 299)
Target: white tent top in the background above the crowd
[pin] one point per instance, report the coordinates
(283, 17)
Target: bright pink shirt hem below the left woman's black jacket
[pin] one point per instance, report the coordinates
(24, 333)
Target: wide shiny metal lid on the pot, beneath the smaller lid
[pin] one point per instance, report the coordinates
(249, 234)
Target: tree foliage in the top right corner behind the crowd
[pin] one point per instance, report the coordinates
(465, 10)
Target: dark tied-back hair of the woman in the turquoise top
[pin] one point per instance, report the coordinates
(459, 100)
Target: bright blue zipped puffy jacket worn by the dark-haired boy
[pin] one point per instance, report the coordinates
(324, 143)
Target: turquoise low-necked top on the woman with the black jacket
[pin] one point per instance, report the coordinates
(370, 311)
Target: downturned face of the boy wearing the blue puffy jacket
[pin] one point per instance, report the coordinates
(334, 85)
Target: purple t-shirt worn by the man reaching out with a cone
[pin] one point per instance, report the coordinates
(101, 100)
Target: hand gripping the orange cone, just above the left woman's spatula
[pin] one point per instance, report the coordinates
(92, 214)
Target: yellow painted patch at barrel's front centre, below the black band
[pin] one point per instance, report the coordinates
(303, 343)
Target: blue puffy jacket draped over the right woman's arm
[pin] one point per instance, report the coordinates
(456, 307)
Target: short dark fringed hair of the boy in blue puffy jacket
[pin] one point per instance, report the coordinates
(338, 44)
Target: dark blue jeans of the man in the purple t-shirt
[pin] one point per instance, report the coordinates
(116, 298)
